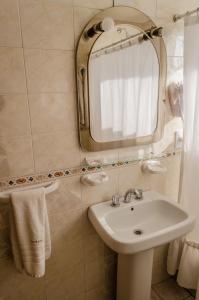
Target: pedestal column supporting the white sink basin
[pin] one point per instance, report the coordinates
(134, 276)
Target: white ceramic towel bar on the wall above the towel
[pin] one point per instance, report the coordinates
(49, 188)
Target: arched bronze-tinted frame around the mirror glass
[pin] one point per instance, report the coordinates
(120, 15)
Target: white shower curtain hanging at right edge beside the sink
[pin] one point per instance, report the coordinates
(184, 253)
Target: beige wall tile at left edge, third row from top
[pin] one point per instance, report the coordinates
(14, 115)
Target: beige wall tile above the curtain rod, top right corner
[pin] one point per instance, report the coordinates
(169, 8)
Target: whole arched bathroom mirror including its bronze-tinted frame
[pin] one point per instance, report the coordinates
(121, 76)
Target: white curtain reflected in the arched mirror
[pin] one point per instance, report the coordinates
(123, 88)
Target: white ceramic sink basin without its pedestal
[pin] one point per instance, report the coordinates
(140, 225)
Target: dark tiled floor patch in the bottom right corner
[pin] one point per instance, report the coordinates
(169, 290)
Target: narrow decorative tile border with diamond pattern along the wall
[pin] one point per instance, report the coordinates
(13, 182)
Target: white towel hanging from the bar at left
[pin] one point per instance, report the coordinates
(30, 233)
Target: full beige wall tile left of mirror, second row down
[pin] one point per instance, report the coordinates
(49, 70)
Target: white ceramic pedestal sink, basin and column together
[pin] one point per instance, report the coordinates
(133, 230)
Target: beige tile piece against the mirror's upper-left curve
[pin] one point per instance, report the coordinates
(82, 16)
